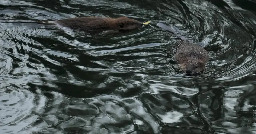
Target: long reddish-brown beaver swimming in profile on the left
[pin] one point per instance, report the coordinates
(99, 24)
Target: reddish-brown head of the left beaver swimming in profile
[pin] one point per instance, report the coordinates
(125, 24)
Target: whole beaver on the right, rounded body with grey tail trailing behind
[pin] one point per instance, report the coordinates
(191, 57)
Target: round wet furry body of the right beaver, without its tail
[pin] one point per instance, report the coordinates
(191, 58)
